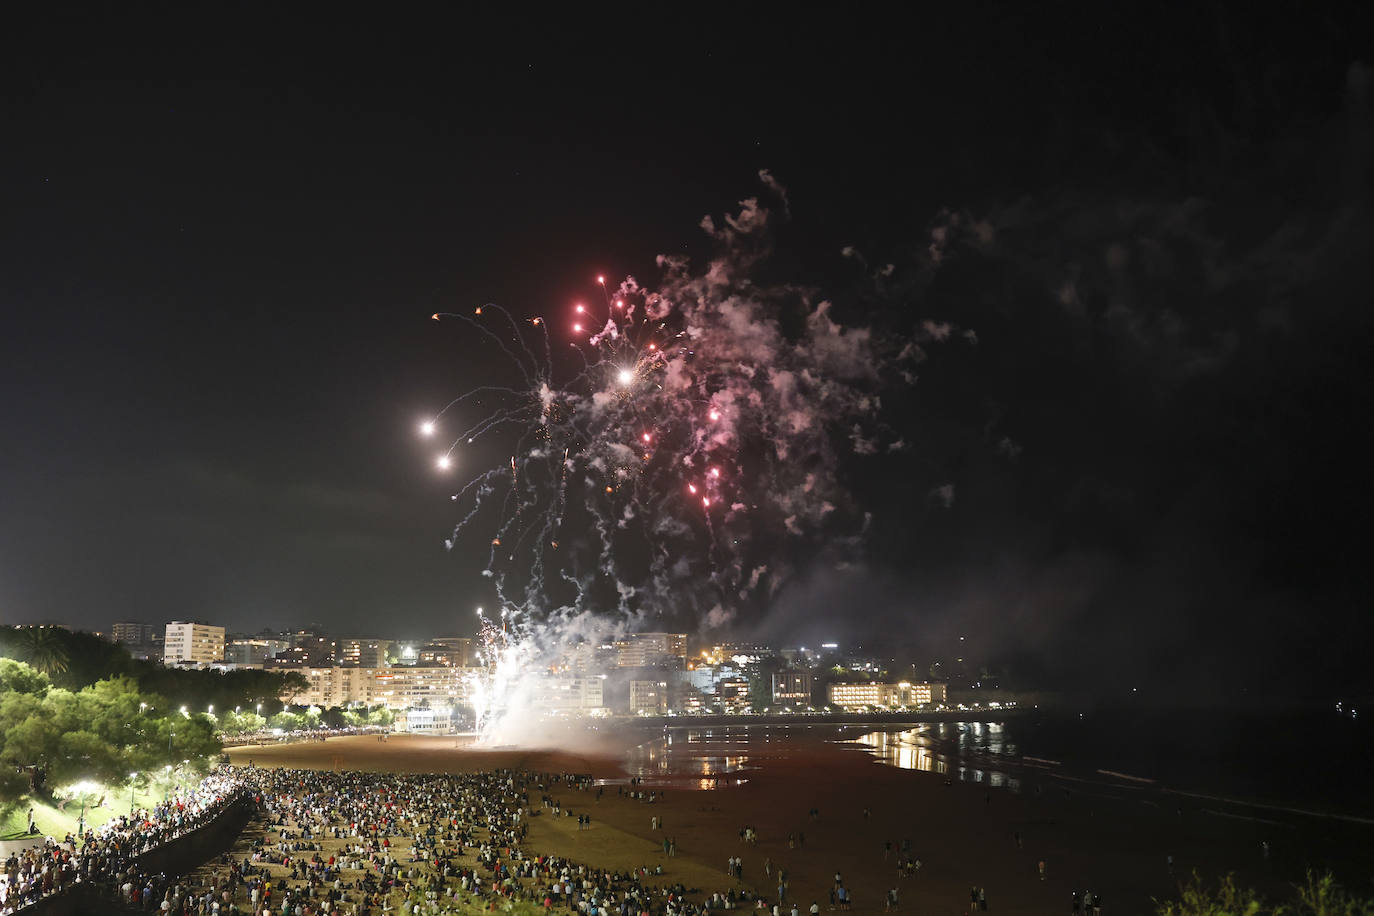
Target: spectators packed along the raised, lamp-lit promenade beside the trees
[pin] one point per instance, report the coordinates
(109, 856)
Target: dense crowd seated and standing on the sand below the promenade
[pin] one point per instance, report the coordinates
(351, 844)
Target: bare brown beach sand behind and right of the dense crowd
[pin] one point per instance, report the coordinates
(964, 834)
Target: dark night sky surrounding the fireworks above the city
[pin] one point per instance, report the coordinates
(221, 245)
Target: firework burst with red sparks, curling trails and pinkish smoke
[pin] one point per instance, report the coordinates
(688, 465)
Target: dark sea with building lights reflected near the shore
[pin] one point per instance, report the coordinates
(1266, 763)
